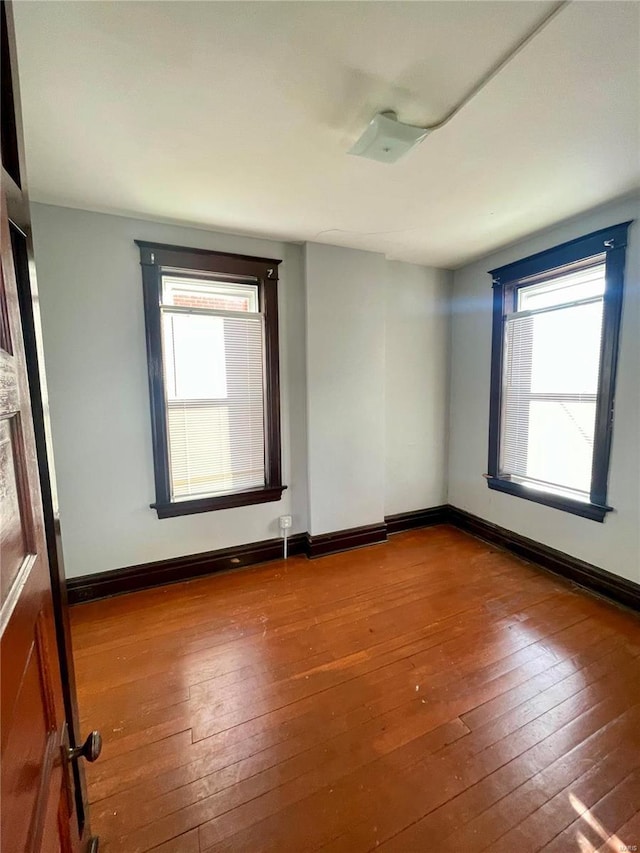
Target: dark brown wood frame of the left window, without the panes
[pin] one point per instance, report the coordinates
(155, 258)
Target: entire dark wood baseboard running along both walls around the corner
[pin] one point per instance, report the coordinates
(134, 578)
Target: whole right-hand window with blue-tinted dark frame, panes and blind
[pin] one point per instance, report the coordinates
(556, 320)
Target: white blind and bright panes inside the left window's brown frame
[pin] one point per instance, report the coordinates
(213, 357)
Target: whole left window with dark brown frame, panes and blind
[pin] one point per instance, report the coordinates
(212, 346)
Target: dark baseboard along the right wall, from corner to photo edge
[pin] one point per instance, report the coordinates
(583, 574)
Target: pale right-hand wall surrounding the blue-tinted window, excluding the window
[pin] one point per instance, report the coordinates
(613, 545)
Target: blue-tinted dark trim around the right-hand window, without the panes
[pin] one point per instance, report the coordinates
(612, 242)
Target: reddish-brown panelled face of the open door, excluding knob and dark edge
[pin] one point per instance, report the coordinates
(37, 798)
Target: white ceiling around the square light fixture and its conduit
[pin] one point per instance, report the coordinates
(238, 115)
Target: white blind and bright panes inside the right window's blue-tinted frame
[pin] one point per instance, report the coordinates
(551, 358)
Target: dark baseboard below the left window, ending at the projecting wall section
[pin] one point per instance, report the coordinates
(135, 578)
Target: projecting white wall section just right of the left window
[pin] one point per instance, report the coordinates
(345, 387)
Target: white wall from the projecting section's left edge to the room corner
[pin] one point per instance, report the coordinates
(377, 383)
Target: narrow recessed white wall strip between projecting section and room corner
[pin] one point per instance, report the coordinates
(417, 386)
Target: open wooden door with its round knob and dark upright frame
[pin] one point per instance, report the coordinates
(43, 794)
